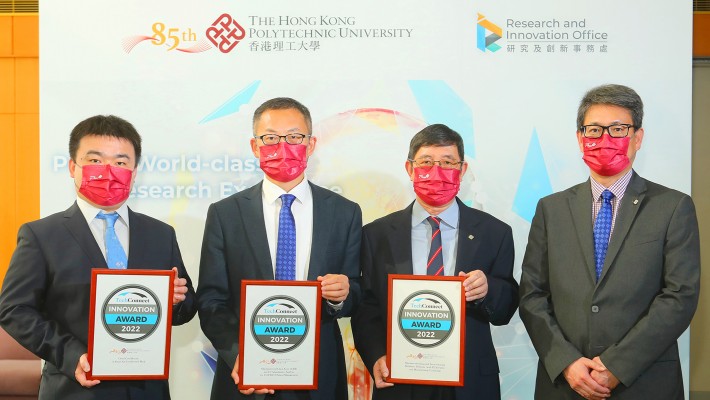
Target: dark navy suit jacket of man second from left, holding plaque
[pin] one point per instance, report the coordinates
(235, 247)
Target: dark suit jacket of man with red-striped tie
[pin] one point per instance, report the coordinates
(387, 249)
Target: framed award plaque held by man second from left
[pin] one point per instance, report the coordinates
(279, 334)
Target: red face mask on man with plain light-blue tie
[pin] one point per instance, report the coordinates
(105, 185)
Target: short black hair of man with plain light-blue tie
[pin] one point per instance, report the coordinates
(105, 125)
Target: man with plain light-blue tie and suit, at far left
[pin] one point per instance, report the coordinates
(45, 300)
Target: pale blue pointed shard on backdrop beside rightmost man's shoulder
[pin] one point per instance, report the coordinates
(534, 181)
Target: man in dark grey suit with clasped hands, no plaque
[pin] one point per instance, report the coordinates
(611, 272)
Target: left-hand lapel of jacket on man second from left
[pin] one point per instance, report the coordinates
(251, 209)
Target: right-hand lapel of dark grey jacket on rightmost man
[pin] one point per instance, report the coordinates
(630, 205)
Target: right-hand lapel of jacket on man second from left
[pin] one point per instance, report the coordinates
(323, 217)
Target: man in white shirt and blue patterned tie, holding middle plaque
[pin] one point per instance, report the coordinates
(242, 240)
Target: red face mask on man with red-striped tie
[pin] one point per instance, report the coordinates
(436, 186)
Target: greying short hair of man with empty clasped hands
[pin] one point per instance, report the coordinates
(615, 95)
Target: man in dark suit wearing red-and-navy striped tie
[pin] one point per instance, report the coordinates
(473, 244)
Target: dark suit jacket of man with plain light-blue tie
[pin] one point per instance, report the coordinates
(45, 299)
